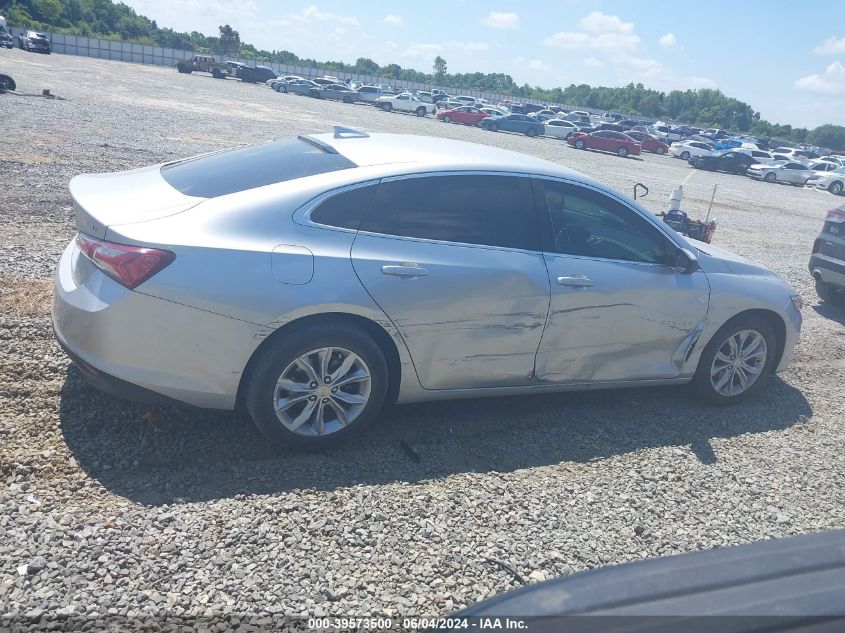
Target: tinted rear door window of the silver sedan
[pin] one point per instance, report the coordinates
(483, 210)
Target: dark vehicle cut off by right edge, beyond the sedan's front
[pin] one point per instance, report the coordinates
(827, 262)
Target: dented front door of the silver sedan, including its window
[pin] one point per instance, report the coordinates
(619, 310)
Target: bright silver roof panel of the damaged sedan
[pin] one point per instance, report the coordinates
(425, 153)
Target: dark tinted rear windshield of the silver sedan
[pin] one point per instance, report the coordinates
(250, 167)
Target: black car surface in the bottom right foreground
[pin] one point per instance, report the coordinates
(791, 584)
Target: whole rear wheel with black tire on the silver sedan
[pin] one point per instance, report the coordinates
(317, 387)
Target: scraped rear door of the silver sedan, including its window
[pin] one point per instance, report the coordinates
(453, 260)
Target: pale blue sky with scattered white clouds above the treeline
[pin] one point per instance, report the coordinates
(770, 55)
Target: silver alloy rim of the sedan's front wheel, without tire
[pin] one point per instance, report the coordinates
(738, 363)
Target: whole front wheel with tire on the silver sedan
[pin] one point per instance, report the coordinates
(735, 362)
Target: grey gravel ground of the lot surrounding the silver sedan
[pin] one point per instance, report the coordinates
(110, 511)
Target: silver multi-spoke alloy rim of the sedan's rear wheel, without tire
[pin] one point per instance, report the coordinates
(322, 391)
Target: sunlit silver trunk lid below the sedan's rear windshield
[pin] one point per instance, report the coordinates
(105, 200)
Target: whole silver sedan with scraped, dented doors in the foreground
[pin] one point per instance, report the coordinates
(313, 279)
